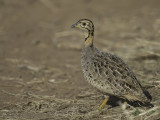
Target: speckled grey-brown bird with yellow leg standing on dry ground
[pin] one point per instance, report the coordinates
(107, 72)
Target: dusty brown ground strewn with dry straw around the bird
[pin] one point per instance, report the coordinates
(40, 71)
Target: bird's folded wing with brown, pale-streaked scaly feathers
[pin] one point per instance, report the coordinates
(113, 70)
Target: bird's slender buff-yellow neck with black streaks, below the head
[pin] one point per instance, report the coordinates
(89, 38)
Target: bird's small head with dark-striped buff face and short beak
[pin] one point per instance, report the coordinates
(85, 25)
